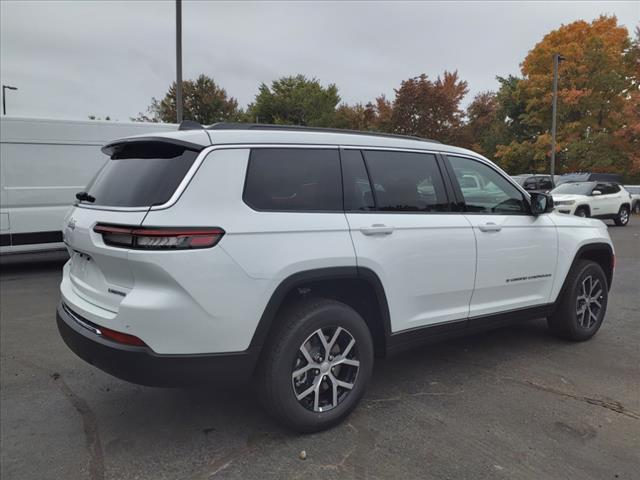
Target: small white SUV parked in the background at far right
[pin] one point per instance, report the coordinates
(602, 200)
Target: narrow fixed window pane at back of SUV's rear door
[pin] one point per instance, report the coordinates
(357, 189)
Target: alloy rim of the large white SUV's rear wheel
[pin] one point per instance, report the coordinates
(325, 369)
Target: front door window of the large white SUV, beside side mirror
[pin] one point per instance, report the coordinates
(494, 194)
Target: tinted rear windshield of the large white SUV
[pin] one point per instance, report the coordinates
(141, 174)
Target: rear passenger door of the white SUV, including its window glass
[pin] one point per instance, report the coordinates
(403, 230)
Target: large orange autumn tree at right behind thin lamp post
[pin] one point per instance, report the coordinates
(597, 81)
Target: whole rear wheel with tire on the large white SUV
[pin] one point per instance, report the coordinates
(316, 366)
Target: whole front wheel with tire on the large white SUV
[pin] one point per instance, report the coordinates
(583, 305)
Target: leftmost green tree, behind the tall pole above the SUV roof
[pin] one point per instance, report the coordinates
(203, 101)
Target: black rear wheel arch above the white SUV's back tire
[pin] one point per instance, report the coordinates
(358, 287)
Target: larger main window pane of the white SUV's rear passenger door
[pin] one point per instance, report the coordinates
(406, 182)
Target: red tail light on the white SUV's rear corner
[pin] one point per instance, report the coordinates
(159, 238)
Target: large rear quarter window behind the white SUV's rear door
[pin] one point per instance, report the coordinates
(294, 179)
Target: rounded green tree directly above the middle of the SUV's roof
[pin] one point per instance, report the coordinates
(295, 100)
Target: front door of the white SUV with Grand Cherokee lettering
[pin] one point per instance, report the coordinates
(517, 252)
